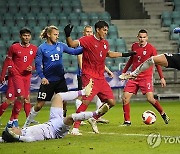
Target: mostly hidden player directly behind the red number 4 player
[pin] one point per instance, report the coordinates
(88, 30)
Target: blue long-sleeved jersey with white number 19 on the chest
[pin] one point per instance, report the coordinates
(49, 60)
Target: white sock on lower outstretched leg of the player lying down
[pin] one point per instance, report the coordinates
(82, 116)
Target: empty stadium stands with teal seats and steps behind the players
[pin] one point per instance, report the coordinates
(125, 18)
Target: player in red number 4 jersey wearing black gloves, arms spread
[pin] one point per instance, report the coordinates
(95, 50)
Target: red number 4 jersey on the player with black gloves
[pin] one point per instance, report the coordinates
(94, 55)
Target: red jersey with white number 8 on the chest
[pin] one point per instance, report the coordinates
(21, 57)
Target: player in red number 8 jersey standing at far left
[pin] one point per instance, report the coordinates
(19, 65)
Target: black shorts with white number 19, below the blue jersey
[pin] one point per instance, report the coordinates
(46, 92)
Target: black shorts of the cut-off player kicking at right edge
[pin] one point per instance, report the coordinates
(173, 60)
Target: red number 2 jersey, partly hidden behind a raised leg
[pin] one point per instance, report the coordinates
(143, 53)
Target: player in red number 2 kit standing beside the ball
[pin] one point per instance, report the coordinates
(144, 81)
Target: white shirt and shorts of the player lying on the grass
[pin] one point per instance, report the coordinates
(53, 129)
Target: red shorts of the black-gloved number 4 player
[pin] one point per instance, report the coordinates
(101, 88)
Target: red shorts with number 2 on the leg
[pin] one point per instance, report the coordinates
(144, 84)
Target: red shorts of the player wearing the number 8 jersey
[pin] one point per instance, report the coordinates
(18, 86)
